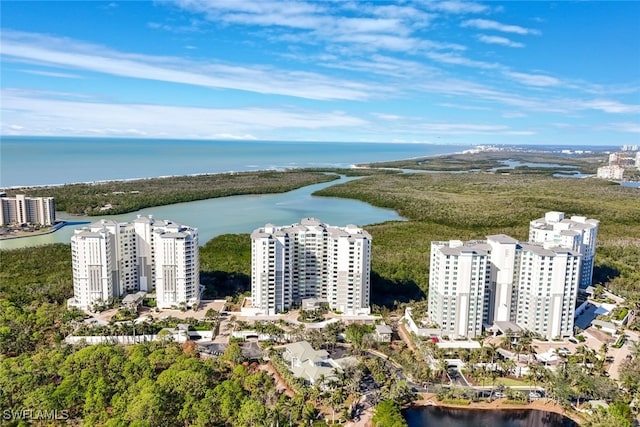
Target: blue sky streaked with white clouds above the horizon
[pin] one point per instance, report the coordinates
(563, 73)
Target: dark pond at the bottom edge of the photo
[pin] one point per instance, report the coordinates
(436, 417)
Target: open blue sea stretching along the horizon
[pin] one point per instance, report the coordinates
(29, 161)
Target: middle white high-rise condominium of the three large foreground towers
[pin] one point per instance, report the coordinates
(310, 260)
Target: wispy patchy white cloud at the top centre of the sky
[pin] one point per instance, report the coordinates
(370, 26)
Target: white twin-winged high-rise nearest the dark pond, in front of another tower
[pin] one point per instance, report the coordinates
(477, 283)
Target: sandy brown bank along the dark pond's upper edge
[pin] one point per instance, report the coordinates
(544, 404)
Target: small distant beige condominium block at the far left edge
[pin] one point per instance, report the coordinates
(21, 209)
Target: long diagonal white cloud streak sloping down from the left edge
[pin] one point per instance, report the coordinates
(71, 54)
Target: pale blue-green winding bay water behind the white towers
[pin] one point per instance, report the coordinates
(236, 214)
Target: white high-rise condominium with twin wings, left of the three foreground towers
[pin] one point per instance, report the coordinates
(111, 259)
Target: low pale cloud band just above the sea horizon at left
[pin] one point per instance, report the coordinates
(41, 115)
